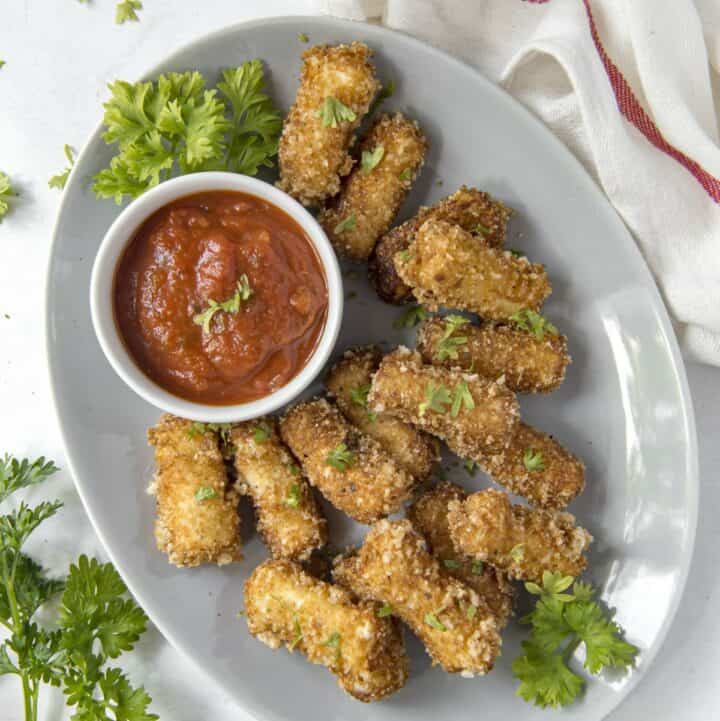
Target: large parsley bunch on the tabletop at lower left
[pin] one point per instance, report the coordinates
(96, 622)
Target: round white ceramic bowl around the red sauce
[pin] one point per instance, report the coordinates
(101, 296)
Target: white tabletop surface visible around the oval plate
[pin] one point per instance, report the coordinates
(59, 55)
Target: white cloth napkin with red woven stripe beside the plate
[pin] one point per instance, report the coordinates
(666, 57)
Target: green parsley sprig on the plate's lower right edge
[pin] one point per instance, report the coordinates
(560, 622)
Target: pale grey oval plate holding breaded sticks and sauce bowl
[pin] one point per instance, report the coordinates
(624, 408)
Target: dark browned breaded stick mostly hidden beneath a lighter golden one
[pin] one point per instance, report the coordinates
(471, 209)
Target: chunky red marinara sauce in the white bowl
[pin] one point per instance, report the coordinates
(196, 250)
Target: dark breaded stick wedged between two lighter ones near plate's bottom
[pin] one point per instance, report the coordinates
(429, 517)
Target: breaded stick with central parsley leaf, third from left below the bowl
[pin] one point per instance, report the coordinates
(348, 467)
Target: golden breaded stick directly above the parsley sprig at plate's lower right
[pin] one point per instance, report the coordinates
(522, 541)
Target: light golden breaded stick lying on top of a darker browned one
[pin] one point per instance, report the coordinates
(446, 266)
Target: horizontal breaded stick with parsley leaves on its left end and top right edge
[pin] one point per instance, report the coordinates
(496, 350)
